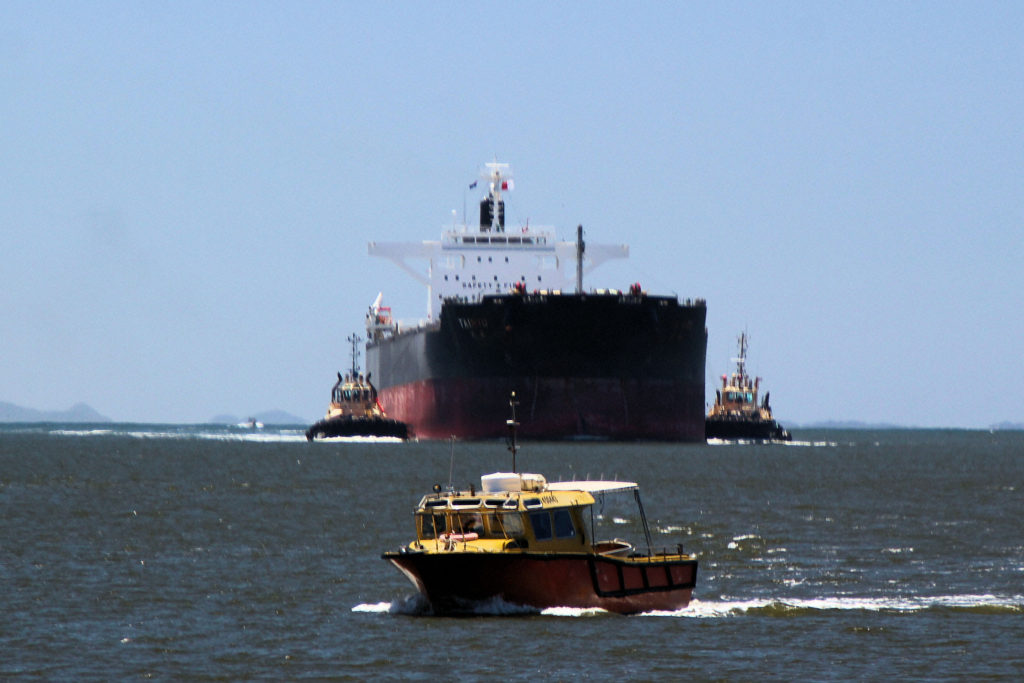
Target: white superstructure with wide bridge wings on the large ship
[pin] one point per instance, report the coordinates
(467, 263)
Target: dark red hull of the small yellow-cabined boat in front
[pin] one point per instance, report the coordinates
(455, 582)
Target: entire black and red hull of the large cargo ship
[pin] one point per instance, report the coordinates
(595, 366)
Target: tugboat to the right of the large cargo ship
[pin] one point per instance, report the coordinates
(736, 414)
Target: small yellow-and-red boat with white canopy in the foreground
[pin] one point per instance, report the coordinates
(530, 542)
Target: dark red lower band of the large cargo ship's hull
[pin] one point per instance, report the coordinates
(549, 408)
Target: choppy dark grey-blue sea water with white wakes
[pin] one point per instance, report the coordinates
(207, 553)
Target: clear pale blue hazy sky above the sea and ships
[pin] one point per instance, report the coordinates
(188, 189)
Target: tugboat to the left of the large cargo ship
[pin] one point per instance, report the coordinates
(355, 410)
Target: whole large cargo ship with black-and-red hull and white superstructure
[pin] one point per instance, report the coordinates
(504, 315)
